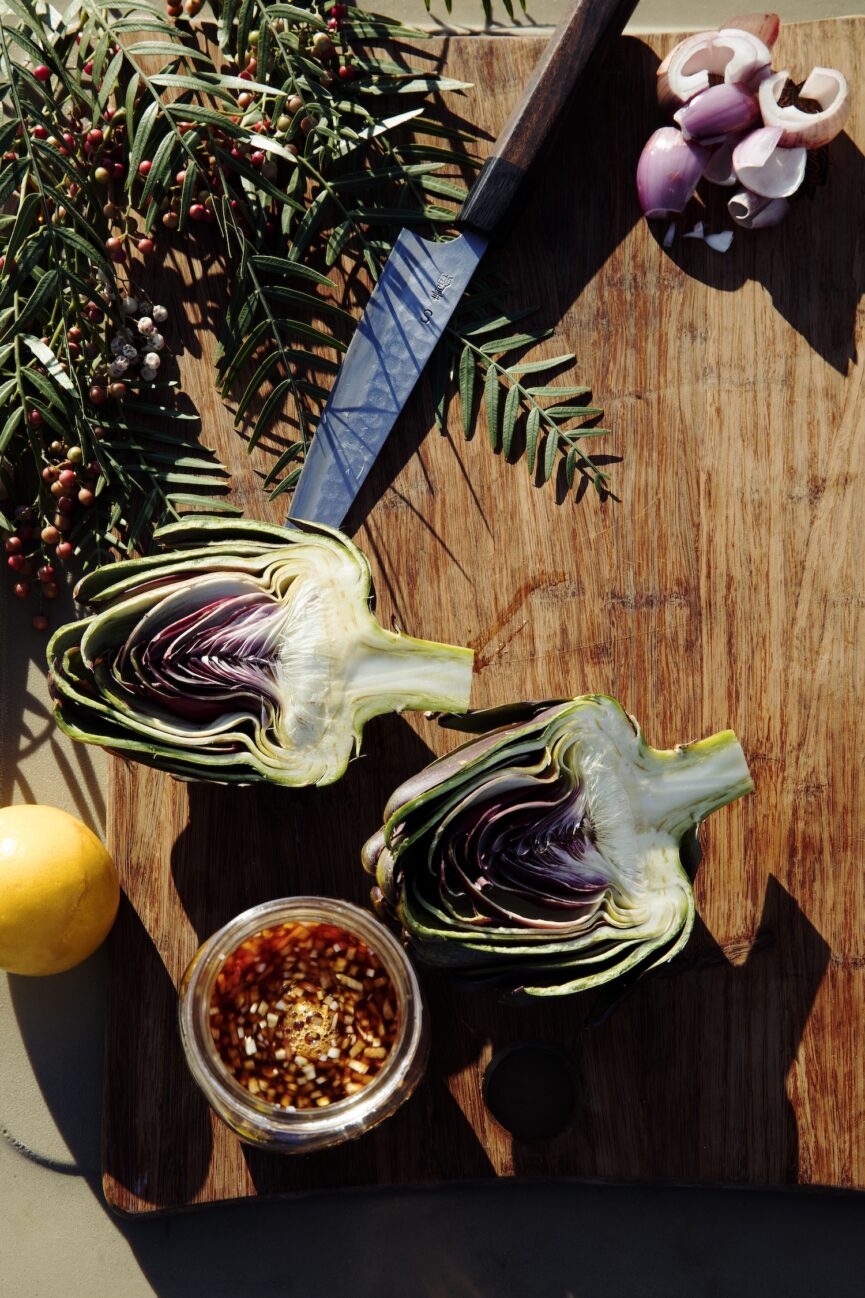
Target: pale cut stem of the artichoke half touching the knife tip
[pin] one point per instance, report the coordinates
(392, 673)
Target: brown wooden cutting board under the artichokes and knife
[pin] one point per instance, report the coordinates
(725, 586)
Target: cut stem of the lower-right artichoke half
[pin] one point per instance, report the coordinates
(685, 785)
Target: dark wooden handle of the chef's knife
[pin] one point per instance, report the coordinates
(585, 29)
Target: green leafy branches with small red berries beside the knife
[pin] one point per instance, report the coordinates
(289, 150)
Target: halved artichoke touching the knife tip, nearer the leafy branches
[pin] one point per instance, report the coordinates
(246, 652)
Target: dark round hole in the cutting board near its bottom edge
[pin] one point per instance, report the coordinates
(529, 1088)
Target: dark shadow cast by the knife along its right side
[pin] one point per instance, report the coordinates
(550, 271)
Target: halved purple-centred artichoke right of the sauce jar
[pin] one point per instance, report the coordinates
(546, 853)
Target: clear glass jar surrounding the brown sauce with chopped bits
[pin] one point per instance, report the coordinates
(266, 1125)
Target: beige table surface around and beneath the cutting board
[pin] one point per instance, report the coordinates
(58, 1239)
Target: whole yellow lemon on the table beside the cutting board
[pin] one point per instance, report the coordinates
(59, 891)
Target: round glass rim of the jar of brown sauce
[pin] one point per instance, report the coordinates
(205, 1061)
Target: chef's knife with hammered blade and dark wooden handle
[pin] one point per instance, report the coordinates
(423, 282)
